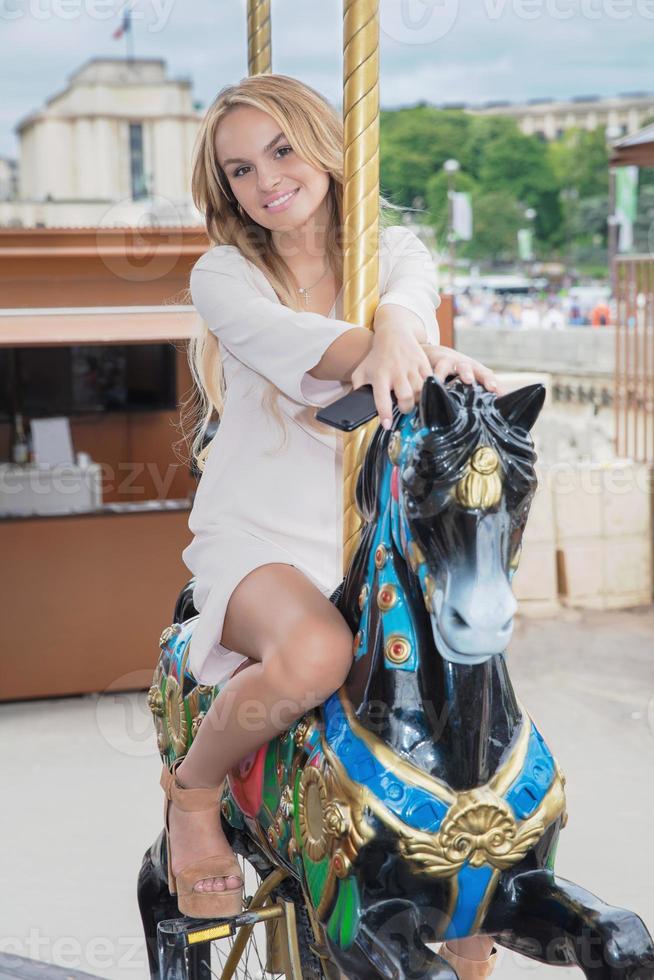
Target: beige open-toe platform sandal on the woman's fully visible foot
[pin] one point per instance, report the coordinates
(202, 905)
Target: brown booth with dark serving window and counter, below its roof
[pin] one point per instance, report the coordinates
(94, 519)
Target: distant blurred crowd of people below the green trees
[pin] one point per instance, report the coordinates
(509, 312)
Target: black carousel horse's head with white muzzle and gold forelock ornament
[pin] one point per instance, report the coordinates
(464, 483)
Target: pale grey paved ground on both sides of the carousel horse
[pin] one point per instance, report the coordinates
(83, 802)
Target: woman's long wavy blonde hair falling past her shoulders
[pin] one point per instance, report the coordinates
(315, 131)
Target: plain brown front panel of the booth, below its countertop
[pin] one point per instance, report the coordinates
(86, 597)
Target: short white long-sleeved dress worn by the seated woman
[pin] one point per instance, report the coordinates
(255, 503)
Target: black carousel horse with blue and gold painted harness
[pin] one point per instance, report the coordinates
(420, 802)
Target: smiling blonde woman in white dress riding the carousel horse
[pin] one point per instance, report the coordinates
(266, 519)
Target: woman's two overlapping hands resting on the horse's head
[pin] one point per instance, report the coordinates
(398, 362)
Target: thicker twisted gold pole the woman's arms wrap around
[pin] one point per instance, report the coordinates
(360, 217)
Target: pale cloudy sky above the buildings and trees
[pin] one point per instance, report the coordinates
(438, 51)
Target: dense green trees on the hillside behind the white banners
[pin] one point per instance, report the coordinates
(564, 181)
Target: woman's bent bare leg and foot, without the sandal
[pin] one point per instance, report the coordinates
(300, 651)
